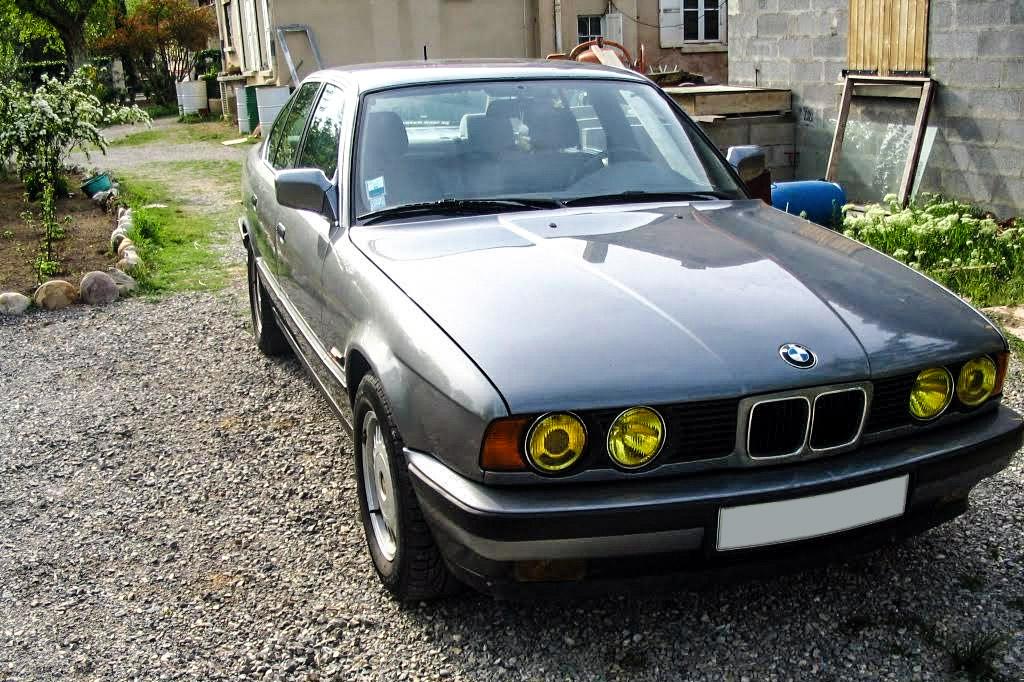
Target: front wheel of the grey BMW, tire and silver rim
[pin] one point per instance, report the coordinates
(404, 552)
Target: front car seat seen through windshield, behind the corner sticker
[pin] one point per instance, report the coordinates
(385, 159)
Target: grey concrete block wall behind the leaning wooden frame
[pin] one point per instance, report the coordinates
(975, 148)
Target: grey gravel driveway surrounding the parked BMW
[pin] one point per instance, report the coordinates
(176, 506)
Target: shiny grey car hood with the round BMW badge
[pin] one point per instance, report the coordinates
(620, 306)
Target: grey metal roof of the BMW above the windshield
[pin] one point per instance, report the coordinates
(391, 74)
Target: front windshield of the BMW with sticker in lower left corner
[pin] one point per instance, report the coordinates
(568, 141)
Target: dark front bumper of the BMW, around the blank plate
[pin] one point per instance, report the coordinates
(487, 533)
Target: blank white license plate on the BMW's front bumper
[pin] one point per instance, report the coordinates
(801, 519)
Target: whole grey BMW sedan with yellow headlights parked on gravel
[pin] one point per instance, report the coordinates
(574, 349)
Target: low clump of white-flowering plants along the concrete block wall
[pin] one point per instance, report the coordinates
(952, 242)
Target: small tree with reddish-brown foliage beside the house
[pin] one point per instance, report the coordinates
(164, 38)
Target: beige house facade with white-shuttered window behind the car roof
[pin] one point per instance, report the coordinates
(688, 34)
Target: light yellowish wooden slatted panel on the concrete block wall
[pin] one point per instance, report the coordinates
(888, 37)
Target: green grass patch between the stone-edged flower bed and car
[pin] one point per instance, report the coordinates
(187, 245)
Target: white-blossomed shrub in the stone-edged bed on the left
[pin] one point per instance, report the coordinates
(40, 129)
